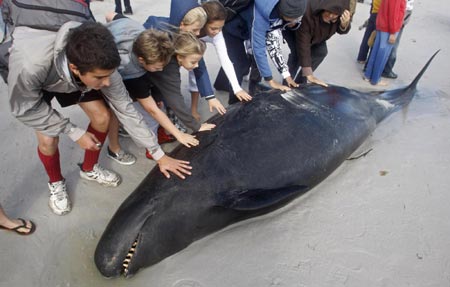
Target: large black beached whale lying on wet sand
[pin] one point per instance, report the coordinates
(261, 155)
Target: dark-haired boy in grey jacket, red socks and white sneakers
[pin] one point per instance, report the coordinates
(76, 65)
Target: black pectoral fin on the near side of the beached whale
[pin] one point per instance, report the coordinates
(257, 198)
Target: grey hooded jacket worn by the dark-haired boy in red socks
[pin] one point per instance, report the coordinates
(37, 62)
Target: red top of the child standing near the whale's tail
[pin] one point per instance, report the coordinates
(390, 15)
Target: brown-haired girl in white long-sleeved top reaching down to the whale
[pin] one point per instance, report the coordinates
(212, 33)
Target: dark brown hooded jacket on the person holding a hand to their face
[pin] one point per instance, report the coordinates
(314, 30)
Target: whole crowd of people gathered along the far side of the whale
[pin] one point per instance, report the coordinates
(125, 75)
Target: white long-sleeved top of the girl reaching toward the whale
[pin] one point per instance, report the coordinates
(221, 49)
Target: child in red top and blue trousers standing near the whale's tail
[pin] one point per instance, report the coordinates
(389, 22)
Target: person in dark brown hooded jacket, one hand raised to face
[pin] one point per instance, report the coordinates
(323, 18)
